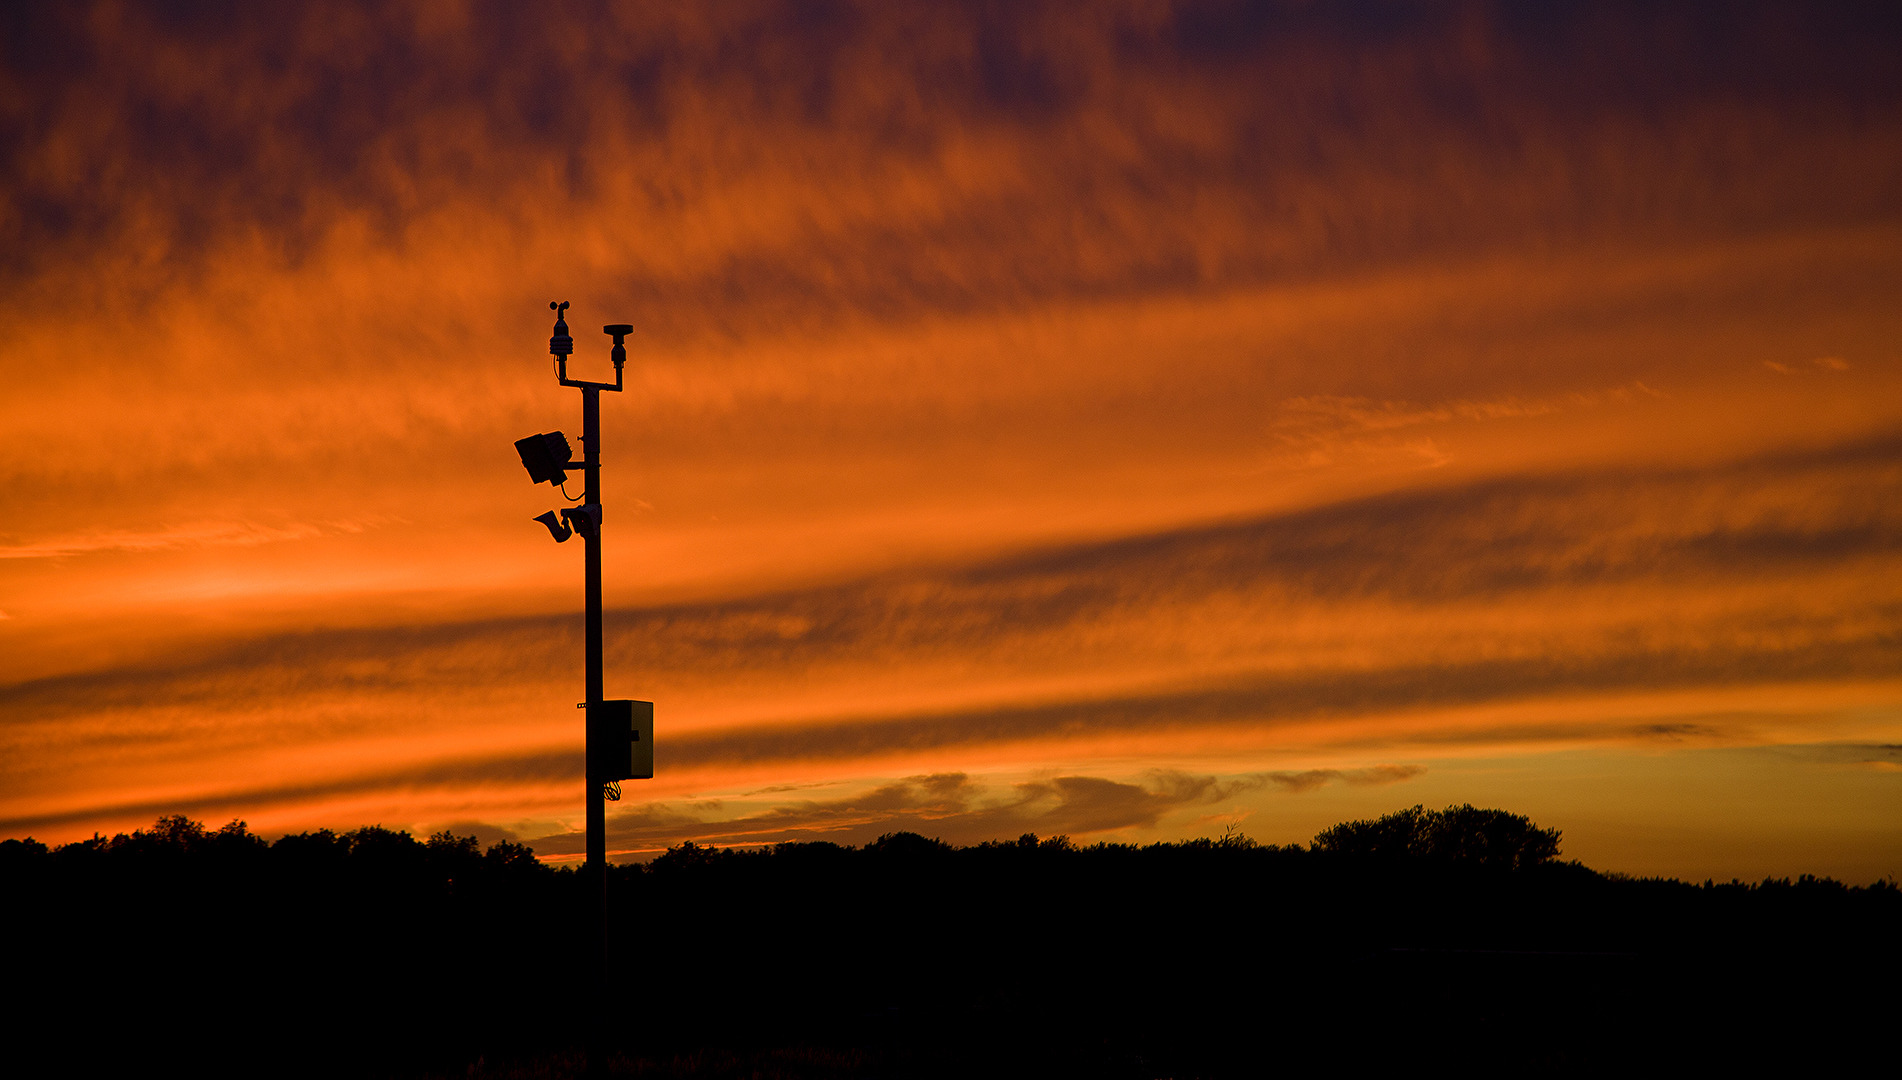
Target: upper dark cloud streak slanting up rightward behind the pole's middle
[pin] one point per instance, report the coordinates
(1817, 516)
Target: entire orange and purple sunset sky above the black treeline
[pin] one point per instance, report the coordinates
(1106, 419)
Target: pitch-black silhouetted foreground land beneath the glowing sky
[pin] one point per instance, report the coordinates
(378, 955)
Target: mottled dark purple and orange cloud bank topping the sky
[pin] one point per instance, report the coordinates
(942, 159)
